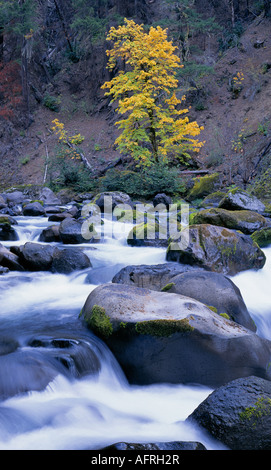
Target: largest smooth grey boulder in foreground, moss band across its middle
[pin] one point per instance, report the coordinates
(180, 339)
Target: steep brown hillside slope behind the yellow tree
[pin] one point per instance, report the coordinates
(237, 122)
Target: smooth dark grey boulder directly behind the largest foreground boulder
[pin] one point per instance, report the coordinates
(212, 289)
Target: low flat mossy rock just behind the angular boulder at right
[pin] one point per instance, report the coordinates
(245, 220)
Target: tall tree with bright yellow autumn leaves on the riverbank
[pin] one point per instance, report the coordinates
(153, 127)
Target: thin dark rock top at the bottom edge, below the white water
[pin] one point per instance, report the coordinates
(175, 445)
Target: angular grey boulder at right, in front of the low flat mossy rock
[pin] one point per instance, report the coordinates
(216, 249)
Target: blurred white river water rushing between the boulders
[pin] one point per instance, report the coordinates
(101, 408)
